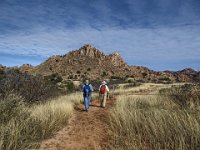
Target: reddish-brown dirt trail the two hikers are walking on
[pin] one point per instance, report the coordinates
(85, 131)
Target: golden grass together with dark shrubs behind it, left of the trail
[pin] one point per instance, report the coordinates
(32, 108)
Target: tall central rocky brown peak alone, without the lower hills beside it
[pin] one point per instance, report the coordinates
(87, 62)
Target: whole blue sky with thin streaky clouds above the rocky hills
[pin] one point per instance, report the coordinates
(158, 34)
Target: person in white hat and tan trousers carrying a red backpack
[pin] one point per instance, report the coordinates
(103, 93)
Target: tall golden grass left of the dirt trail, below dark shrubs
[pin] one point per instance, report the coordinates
(23, 127)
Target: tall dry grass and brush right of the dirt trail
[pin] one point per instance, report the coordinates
(168, 121)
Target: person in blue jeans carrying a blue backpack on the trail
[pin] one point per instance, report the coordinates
(87, 90)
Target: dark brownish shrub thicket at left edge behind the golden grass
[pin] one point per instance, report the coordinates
(31, 88)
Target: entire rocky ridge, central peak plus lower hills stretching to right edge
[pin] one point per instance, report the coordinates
(89, 62)
